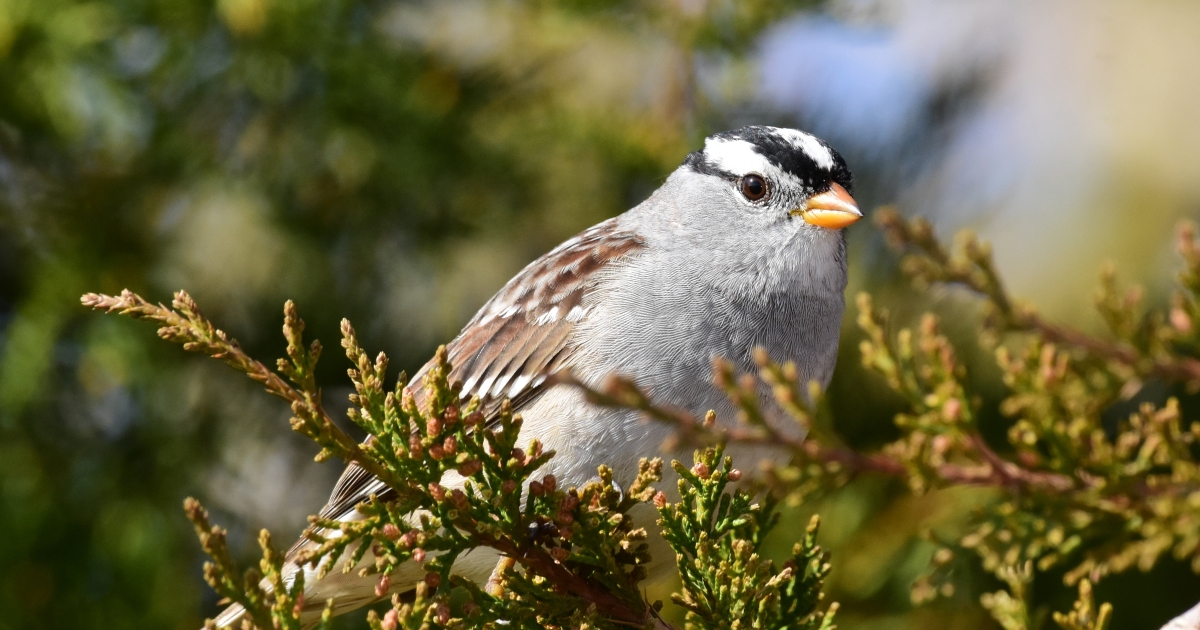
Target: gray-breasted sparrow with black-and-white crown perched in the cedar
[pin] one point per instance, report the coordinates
(742, 248)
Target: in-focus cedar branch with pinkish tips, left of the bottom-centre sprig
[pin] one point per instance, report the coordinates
(584, 566)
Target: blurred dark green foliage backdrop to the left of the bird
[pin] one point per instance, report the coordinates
(255, 151)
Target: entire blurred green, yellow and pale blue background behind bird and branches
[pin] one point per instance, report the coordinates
(395, 163)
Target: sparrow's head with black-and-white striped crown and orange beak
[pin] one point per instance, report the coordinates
(776, 177)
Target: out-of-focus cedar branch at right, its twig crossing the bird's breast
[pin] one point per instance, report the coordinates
(1071, 493)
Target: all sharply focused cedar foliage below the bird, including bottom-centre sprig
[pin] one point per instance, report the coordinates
(580, 557)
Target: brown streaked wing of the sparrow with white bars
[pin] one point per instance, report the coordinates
(520, 338)
